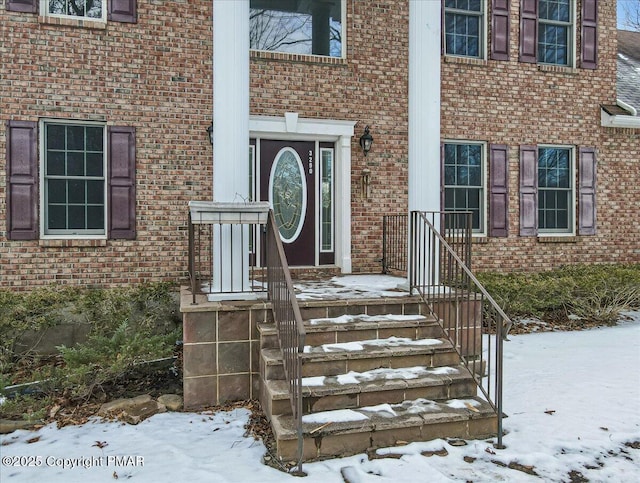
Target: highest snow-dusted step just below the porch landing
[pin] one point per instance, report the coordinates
(349, 328)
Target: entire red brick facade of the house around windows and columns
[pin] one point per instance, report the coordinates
(156, 75)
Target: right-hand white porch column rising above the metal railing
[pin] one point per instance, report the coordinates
(424, 106)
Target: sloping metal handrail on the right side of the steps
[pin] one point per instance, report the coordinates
(443, 280)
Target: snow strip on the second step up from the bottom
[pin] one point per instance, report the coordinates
(403, 373)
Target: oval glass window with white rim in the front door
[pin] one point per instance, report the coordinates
(288, 194)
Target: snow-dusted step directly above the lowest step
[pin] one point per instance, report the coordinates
(378, 386)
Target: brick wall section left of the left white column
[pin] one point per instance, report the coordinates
(154, 75)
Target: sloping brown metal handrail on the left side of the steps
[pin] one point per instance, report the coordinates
(288, 321)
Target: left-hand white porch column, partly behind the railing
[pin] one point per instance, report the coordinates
(231, 133)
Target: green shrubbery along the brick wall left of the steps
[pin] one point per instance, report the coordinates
(127, 327)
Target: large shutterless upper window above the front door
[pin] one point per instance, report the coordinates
(313, 27)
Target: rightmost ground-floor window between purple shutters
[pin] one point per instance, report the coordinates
(555, 189)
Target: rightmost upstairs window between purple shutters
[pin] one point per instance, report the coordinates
(555, 26)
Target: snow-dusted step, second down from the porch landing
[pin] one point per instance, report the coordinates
(361, 356)
